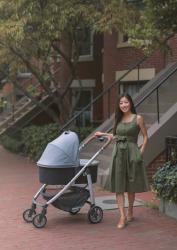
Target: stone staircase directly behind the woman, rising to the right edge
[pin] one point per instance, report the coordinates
(157, 103)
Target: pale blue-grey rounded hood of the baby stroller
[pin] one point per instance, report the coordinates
(62, 152)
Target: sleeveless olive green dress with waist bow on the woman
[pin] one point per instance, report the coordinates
(127, 173)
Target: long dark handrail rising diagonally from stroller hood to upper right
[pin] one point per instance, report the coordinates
(103, 93)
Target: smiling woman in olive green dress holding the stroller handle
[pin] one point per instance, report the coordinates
(127, 173)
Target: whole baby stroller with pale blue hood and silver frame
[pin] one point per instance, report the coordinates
(60, 165)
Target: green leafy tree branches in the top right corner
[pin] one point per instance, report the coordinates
(156, 25)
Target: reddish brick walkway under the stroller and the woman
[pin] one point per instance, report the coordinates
(19, 182)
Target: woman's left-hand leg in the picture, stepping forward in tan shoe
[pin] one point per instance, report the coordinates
(121, 205)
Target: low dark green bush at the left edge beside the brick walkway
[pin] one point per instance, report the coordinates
(14, 145)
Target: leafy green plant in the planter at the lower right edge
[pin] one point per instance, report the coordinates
(165, 182)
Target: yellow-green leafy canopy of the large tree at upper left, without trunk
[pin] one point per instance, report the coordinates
(30, 27)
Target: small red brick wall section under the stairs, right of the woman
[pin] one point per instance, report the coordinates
(157, 162)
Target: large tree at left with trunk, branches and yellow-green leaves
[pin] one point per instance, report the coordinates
(34, 32)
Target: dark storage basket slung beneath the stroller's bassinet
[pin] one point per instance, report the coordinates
(70, 201)
